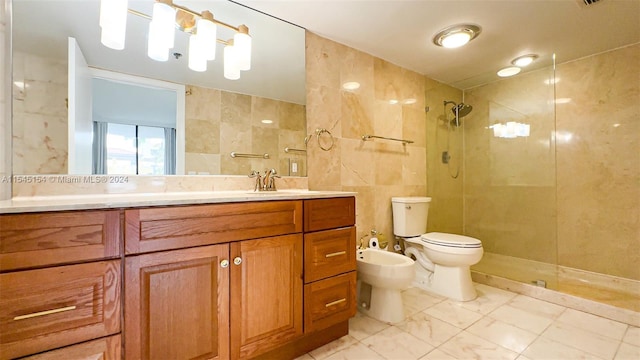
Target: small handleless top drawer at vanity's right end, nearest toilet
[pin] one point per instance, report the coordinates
(322, 214)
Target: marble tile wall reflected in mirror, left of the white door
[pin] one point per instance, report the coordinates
(39, 115)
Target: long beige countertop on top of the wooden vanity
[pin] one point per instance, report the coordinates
(105, 201)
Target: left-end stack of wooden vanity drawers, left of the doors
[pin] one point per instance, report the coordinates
(45, 305)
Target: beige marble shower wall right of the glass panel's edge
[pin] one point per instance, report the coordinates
(598, 157)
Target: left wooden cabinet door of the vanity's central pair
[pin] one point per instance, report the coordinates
(177, 304)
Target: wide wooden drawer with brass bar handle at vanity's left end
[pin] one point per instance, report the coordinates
(55, 307)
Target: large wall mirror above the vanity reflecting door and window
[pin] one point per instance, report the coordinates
(70, 93)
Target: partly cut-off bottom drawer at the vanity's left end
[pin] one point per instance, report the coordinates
(108, 348)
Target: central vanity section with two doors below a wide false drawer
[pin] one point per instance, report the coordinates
(235, 299)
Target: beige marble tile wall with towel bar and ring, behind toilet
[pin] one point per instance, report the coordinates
(389, 102)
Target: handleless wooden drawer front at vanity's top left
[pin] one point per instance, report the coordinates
(32, 240)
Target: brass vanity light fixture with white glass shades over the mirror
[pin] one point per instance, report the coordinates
(166, 17)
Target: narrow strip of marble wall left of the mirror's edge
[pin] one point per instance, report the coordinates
(5, 113)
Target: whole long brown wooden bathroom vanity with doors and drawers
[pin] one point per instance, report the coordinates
(232, 277)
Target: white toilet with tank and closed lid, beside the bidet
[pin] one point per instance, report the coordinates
(444, 259)
